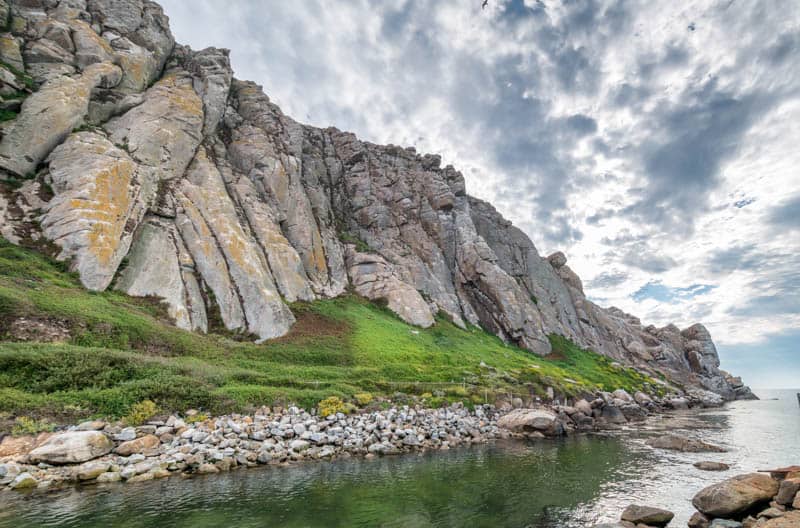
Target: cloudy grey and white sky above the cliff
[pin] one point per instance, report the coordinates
(656, 143)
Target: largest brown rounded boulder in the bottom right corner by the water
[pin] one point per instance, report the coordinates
(735, 495)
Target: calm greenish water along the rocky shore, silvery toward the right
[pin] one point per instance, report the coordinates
(545, 484)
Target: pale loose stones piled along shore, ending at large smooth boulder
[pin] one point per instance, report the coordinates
(100, 452)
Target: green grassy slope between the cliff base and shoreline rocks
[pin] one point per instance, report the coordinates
(121, 352)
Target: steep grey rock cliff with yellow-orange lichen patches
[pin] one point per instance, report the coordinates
(154, 171)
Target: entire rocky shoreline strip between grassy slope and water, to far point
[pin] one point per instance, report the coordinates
(99, 452)
